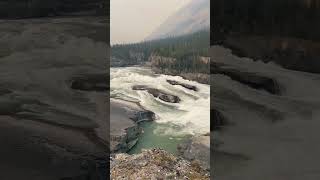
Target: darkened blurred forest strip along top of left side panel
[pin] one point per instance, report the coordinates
(43, 8)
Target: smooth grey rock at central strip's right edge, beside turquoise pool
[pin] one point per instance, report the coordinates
(197, 149)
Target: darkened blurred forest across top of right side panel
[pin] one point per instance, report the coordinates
(294, 18)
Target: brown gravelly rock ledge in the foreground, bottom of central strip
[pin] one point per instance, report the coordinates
(155, 164)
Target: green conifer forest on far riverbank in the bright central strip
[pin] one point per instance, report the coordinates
(181, 54)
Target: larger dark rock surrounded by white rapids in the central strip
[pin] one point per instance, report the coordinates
(158, 94)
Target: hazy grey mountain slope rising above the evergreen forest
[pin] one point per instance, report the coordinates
(191, 18)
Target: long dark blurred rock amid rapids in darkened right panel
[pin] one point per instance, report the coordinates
(253, 80)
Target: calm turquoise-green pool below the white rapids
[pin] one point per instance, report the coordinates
(154, 136)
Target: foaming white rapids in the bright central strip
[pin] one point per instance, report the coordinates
(189, 117)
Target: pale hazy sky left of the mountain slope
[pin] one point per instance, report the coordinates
(133, 20)
